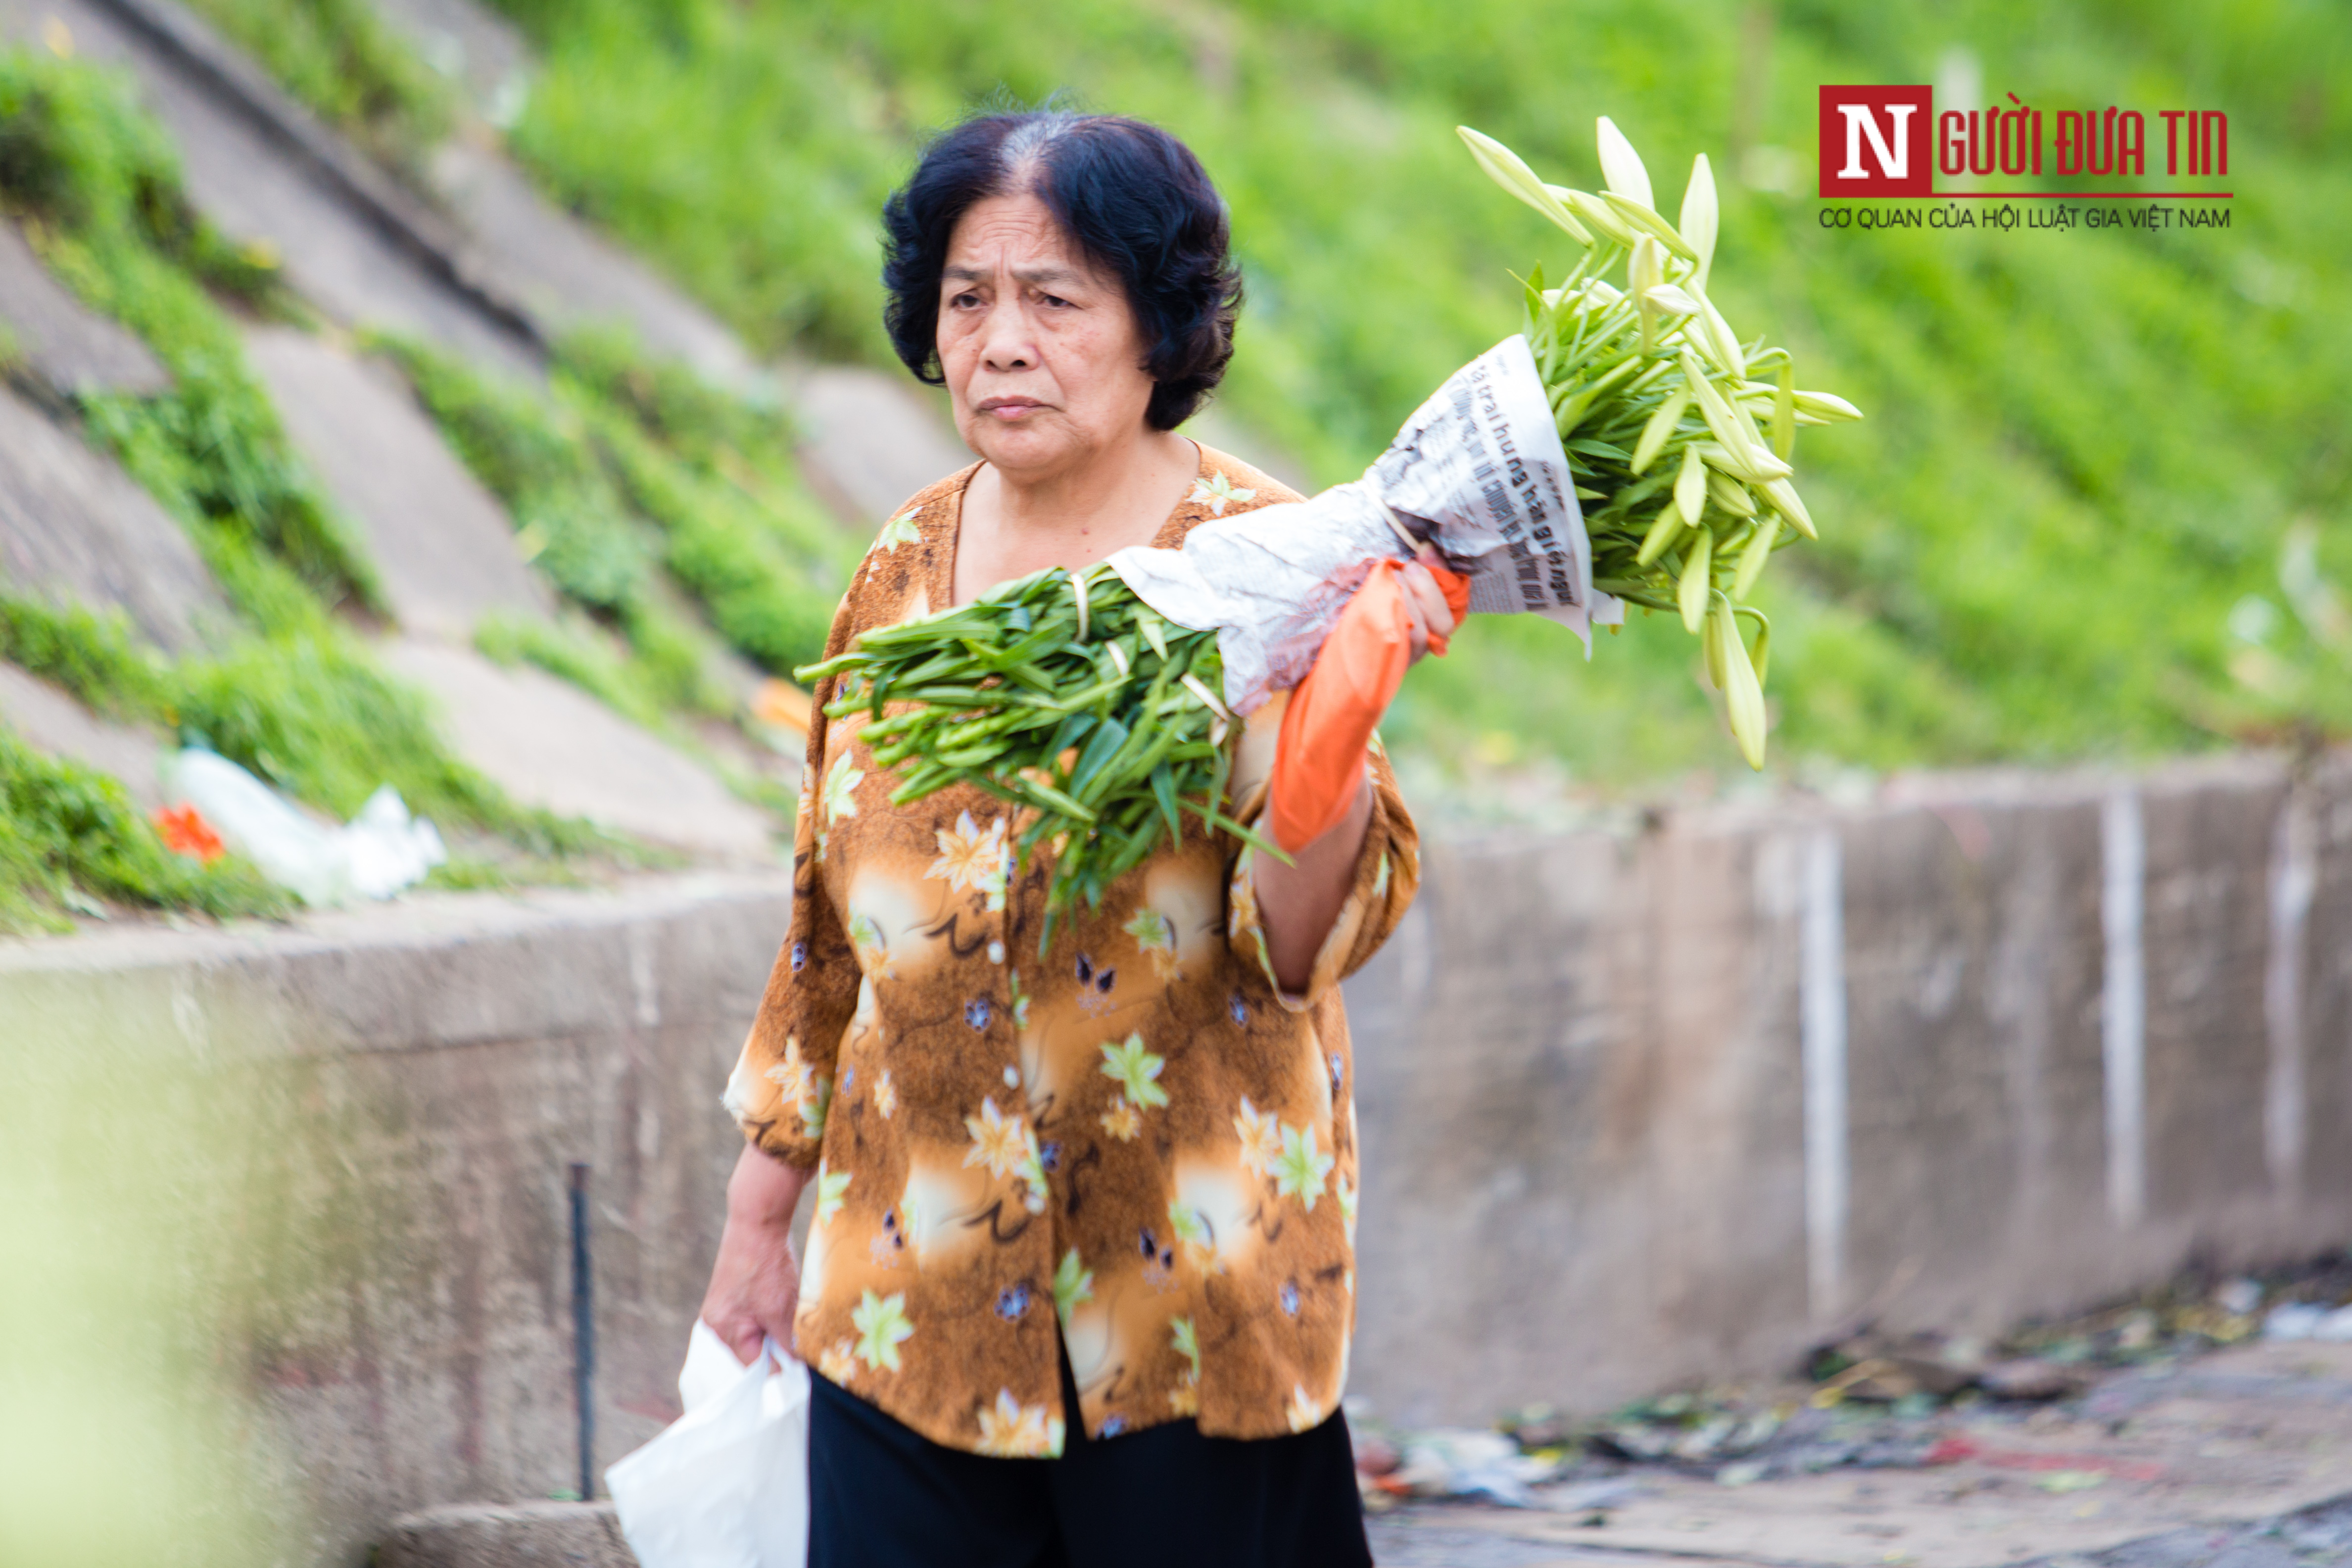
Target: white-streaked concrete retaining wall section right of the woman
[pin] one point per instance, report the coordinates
(1669, 1108)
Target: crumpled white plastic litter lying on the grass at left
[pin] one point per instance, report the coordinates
(382, 852)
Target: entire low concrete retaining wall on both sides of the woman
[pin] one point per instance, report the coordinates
(1636, 1108)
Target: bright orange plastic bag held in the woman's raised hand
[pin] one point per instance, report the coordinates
(1332, 713)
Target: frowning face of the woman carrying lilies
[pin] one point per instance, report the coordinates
(1041, 349)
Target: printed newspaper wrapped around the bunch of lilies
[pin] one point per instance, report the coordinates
(1478, 474)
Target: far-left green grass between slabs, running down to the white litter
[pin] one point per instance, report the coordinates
(288, 692)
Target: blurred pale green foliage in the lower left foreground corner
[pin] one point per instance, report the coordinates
(147, 1252)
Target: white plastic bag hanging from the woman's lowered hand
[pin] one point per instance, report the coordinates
(728, 1482)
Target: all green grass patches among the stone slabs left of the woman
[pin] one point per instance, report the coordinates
(627, 464)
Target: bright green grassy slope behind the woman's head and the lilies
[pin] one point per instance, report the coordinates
(2083, 455)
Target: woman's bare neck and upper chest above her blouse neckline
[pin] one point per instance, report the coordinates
(1071, 518)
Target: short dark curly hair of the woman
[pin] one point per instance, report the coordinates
(1130, 196)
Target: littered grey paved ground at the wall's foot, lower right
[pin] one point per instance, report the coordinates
(2243, 1461)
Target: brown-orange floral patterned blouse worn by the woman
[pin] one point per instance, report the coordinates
(1135, 1144)
